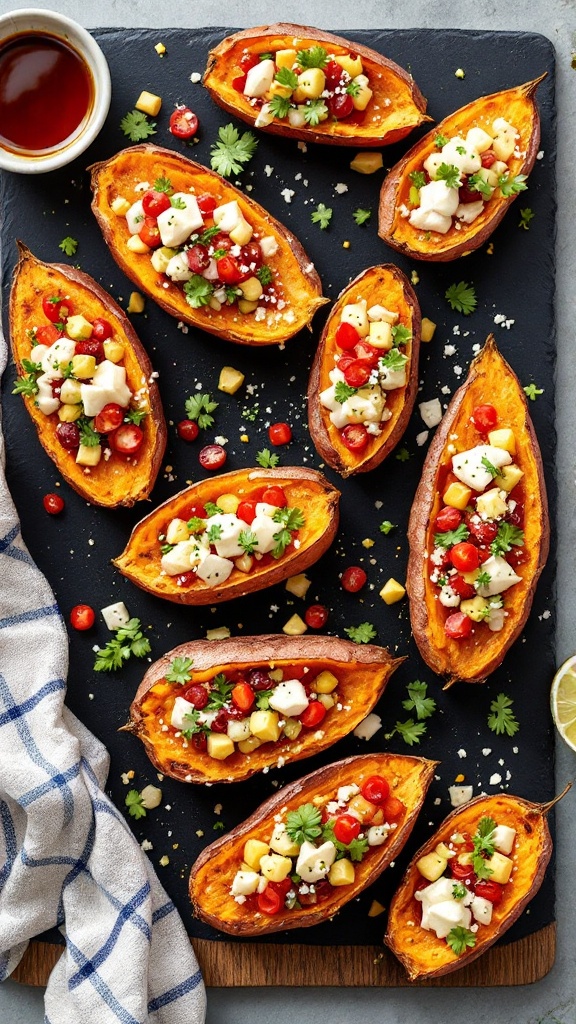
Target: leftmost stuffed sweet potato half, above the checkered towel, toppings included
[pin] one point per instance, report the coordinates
(87, 382)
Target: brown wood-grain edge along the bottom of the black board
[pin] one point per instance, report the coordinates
(228, 965)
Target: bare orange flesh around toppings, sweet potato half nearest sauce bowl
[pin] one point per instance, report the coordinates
(301, 287)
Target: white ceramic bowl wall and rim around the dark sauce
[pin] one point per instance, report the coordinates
(29, 20)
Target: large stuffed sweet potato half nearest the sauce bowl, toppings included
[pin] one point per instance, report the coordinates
(201, 249)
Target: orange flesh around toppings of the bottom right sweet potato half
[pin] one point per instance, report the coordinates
(421, 952)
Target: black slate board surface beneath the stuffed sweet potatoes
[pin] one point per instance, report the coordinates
(74, 550)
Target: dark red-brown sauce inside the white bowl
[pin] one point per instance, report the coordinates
(47, 93)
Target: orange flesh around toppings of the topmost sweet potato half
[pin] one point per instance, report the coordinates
(396, 108)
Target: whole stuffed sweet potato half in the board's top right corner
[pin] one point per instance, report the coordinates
(447, 195)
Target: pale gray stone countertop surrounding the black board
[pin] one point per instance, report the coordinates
(552, 1001)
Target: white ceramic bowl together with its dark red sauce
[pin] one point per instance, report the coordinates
(55, 91)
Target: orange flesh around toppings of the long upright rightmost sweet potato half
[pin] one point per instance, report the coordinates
(492, 381)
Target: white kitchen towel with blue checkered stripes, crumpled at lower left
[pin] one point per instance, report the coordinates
(67, 857)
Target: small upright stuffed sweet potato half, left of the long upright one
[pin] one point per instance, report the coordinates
(365, 375)
